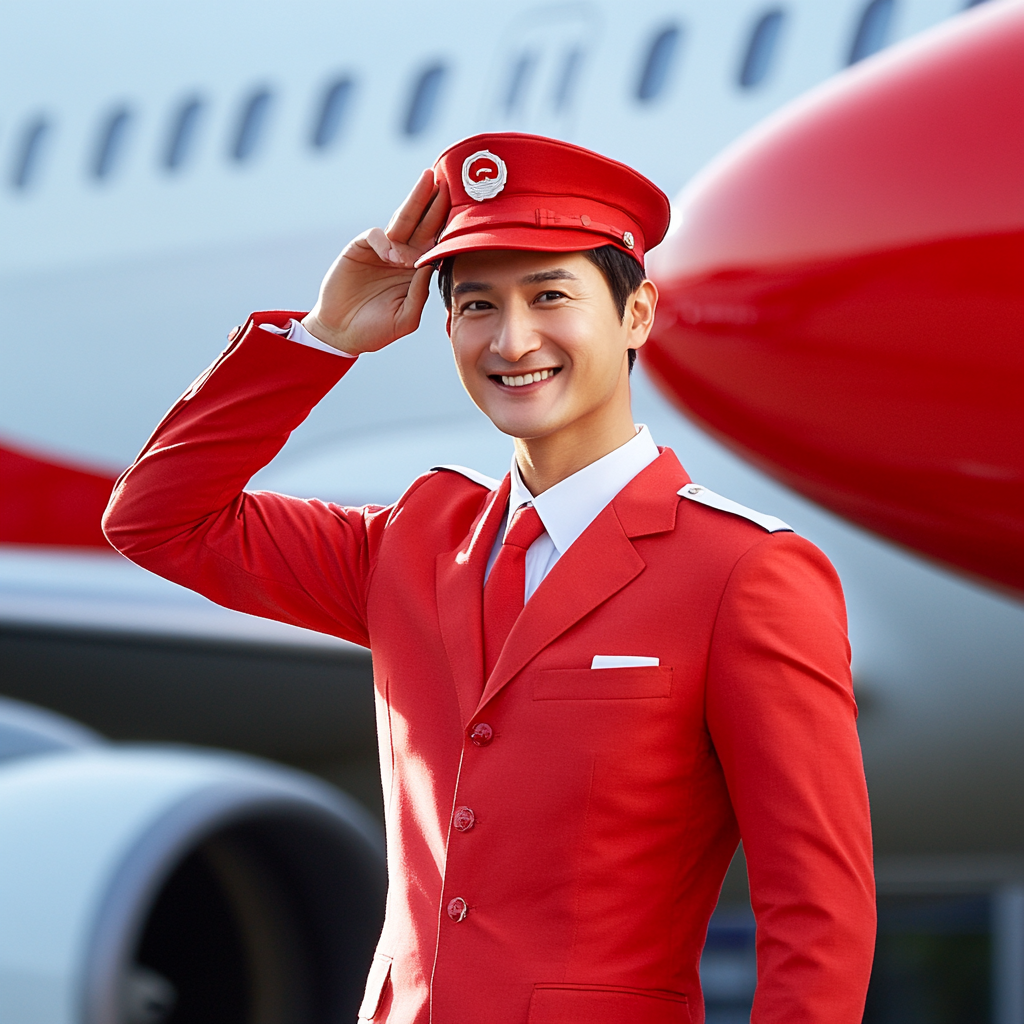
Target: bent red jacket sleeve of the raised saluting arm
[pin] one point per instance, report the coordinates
(182, 511)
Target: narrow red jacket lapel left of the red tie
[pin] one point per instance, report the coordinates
(460, 601)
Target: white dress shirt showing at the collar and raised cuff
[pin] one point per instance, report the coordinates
(568, 508)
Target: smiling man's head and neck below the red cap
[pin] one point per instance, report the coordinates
(544, 348)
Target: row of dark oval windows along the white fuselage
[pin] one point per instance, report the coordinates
(252, 119)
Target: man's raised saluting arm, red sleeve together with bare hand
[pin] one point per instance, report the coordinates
(182, 511)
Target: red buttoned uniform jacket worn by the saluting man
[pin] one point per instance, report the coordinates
(608, 803)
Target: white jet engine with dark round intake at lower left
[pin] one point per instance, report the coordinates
(146, 885)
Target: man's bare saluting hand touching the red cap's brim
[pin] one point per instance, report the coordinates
(373, 295)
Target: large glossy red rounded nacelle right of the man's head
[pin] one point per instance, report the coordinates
(843, 300)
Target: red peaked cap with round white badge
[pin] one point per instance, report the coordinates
(511, 191)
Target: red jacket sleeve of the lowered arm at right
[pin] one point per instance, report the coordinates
(783, 719)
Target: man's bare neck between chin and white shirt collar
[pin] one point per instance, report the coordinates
(546, 461)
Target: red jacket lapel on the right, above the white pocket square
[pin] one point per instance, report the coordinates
(602, 563)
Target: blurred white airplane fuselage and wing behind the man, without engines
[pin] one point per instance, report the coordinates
(168, 169)
